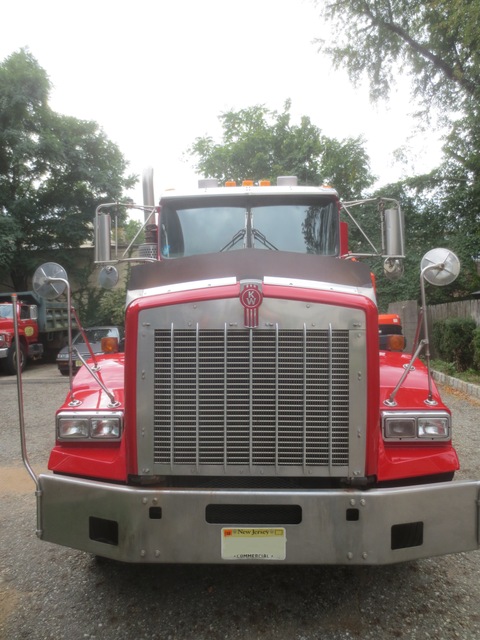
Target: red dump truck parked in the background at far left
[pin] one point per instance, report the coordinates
(43, 326)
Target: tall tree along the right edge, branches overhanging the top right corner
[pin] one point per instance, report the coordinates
(436, 43)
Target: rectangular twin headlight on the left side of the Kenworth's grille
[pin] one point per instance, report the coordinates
(96, 426)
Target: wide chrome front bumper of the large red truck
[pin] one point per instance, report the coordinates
(379, 526)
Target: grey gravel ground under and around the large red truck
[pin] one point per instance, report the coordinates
(49, 592)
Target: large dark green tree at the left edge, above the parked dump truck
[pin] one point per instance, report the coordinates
(54, 170)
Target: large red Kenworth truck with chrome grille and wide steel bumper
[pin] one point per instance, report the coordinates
(253, 417)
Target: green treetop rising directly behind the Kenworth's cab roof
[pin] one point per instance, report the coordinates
(262, 144)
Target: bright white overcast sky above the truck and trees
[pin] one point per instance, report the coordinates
(156, 74)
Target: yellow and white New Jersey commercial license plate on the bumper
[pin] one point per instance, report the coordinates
(254, 544)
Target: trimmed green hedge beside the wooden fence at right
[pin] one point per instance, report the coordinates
(452, 341)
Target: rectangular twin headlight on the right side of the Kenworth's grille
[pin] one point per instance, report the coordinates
(411, 426)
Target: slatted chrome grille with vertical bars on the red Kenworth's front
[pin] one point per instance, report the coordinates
(275, 400)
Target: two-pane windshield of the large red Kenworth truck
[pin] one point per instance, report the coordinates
(302, 225)
